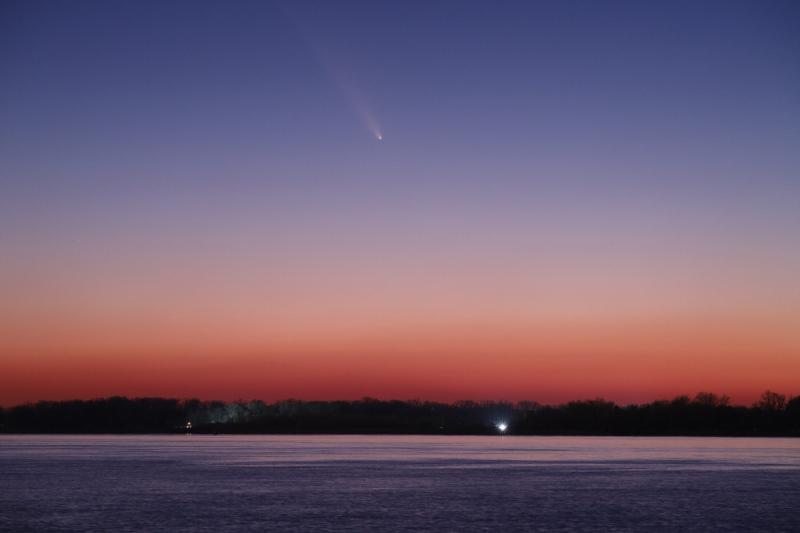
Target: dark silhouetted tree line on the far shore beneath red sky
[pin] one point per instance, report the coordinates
(705, 414)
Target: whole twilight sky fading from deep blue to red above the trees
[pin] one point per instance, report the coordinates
(571, 199)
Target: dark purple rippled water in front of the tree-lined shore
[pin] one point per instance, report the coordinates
(367, 483)
